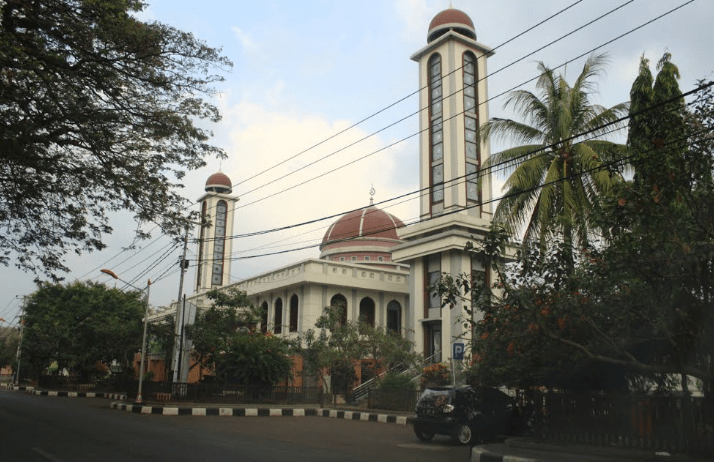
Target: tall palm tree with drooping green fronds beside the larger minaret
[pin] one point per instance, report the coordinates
(554, 174)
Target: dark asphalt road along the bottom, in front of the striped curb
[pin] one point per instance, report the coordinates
(43, 429)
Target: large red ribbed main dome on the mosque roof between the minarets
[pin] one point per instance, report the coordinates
(364, 235)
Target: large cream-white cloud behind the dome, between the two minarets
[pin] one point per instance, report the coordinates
(258, 138)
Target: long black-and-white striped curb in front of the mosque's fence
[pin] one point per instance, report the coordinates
(262, 412)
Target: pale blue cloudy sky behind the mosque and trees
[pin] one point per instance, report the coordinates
(305, 71)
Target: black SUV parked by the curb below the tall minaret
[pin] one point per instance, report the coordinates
(467, 414)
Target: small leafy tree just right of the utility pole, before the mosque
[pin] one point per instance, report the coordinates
(215, 327)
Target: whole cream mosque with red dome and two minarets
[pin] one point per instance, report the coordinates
(369, 260)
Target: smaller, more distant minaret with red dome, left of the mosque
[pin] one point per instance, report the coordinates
(215, 245)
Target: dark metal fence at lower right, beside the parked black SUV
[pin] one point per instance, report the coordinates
(660, 423)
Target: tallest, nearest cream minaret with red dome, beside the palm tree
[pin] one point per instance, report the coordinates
(455, 204)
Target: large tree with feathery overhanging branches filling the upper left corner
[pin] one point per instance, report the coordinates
(98, 111)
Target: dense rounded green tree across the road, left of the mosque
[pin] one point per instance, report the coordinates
(80, 324)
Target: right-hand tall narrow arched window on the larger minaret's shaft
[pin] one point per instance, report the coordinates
(470, 126)
